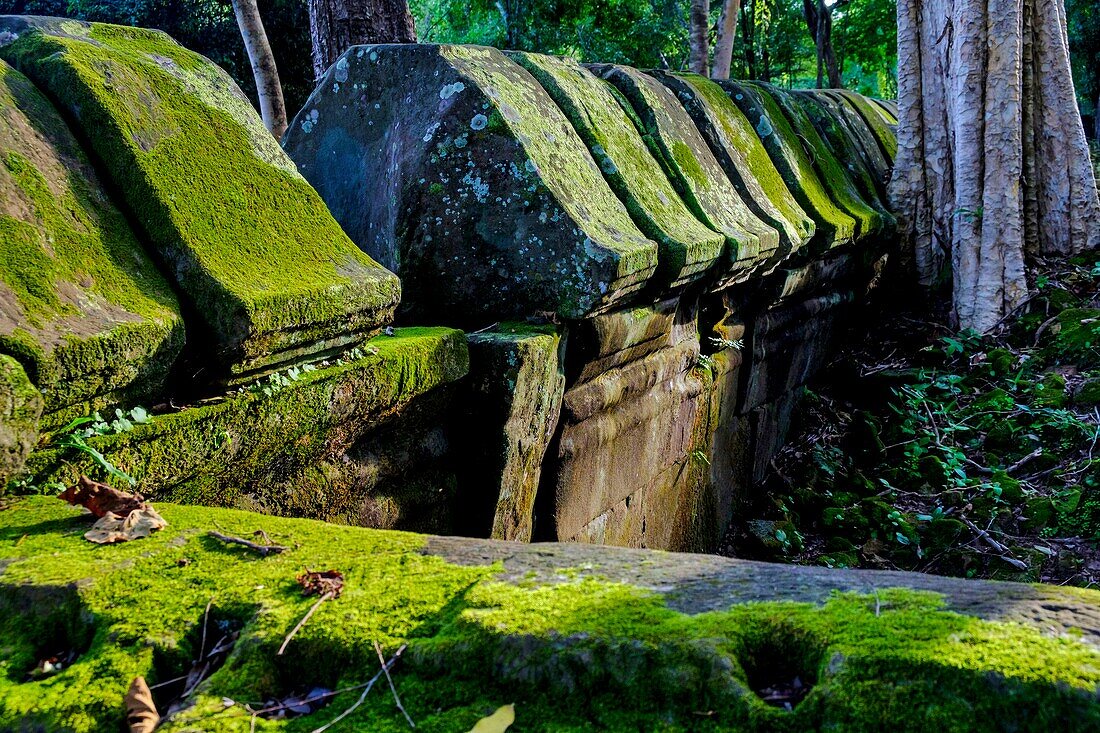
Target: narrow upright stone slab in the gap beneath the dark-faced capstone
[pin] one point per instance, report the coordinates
(516, 381)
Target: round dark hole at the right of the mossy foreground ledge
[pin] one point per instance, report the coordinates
(782, 666)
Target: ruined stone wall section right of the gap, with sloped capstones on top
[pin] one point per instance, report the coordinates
(692, 254)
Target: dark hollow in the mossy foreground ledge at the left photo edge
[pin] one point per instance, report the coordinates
(45, 630)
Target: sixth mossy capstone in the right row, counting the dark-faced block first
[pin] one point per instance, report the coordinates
(872, 218)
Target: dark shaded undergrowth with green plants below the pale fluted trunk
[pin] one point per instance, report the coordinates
(954, 454)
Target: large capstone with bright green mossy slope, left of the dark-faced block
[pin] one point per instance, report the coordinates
(249, 244)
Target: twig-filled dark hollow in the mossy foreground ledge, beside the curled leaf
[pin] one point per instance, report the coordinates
(201, 653)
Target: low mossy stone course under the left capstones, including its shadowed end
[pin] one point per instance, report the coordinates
(300, 443)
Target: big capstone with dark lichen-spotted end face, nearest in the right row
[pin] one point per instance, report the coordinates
(492, 206)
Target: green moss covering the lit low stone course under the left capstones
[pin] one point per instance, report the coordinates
(251, 448)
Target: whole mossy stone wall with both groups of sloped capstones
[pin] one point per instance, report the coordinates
(650, 265)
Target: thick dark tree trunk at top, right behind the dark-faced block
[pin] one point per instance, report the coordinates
(338, 25)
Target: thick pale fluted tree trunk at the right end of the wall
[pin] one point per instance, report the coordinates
(993, 163)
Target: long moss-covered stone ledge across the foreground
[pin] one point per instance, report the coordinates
(554, 629)
